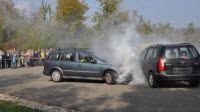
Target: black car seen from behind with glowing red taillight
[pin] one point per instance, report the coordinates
(171, 62)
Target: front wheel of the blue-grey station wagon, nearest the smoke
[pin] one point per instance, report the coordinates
(110, 77)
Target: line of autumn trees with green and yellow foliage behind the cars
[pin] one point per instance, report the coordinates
(66, 27)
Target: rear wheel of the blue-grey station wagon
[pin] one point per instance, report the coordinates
(56, 76)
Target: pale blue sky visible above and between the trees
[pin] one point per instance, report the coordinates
(176, 12)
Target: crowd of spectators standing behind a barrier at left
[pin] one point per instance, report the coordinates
(29, 58)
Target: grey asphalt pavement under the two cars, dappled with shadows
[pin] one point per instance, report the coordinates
(96, 96)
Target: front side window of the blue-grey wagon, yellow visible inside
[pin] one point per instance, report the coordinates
(85, 57)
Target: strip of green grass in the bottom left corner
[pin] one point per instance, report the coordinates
(9, 107)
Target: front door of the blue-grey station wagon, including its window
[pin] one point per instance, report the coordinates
(87, 65)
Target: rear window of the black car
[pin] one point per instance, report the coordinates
(186, 52)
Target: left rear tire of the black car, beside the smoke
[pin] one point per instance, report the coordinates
(151, 80)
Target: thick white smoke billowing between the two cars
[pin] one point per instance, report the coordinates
(122, 50)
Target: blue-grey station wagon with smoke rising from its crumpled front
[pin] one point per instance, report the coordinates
(79, 63)
